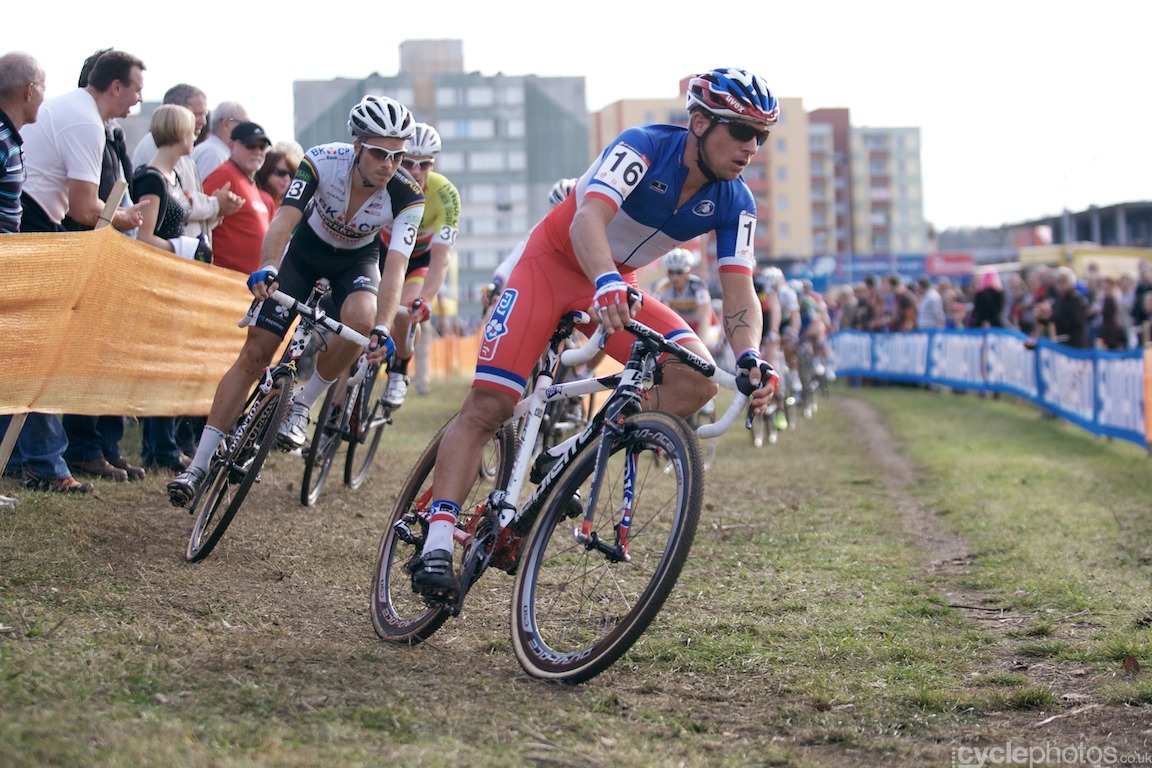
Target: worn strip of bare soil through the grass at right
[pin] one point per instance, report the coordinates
(1083, 719)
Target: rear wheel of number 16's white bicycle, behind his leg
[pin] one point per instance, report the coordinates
(398, 613)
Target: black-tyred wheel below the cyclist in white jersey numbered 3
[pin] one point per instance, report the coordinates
(232, 475)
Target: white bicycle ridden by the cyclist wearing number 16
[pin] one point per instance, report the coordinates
(600, 543)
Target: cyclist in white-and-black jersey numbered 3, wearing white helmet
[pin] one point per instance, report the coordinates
(348, 193)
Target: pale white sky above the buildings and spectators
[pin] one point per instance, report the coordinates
(1025, 108)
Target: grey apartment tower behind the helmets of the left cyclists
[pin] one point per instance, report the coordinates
(507, 139)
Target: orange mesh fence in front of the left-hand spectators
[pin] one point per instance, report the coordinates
(97, 323)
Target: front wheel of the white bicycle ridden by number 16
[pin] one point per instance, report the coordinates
(579, 606)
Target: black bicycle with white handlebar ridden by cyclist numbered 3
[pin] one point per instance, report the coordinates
(237, 465)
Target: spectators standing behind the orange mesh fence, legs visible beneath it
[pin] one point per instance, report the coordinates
(201, 185)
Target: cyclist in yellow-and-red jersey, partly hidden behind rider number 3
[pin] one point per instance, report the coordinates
(429, 262)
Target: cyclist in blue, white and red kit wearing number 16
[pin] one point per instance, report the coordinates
(653, 189)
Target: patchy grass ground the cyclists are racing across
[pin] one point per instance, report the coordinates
(907, 580)
